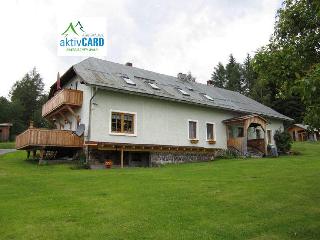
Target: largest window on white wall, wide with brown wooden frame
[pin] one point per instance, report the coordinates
(122, 122)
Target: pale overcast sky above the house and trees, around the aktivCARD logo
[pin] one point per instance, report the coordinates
(165, 36)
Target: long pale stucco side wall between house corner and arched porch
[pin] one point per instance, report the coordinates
(157, 121)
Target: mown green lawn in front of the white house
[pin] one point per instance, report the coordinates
(271, 198)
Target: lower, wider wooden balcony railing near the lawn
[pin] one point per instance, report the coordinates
(42, 138)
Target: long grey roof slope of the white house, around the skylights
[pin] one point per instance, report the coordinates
(108, 75)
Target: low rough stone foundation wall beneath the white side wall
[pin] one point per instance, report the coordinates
(160, 158)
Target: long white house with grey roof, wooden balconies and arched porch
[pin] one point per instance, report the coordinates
(138, 117)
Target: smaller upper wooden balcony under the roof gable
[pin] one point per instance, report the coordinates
(65, 97)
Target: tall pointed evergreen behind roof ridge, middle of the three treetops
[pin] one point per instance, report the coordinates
(233, 75)
